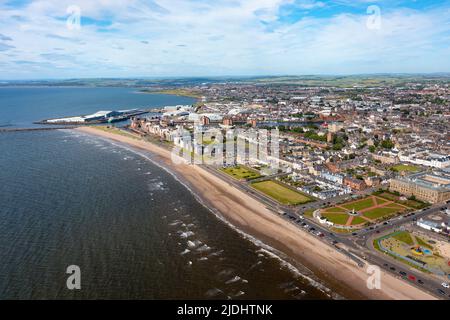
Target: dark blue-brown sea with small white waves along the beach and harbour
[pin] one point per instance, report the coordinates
(135, 232)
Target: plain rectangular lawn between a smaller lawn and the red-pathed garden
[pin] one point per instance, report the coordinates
(281, 193)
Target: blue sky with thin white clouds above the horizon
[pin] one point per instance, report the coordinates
(154, 38)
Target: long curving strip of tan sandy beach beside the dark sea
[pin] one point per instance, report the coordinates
(253, 218)
